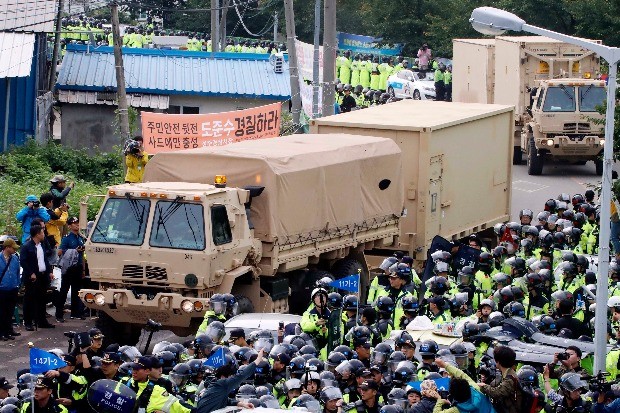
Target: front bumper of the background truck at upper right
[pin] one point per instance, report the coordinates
(583, 146)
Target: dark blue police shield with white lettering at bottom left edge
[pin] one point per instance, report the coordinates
(109, 396)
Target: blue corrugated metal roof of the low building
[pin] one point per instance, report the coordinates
(175, 72)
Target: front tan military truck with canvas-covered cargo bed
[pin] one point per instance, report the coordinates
(281, 213)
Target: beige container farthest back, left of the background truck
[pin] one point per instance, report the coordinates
(474, 77)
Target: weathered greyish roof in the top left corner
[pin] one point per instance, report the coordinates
(34, 16)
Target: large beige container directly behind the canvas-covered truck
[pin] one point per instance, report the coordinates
(456, 164)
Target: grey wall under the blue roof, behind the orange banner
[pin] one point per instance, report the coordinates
(92, 126)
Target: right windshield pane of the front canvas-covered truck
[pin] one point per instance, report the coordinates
(178, 225)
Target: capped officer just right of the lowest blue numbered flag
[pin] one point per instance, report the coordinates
(71, 389)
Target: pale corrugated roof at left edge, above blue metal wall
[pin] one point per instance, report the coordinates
(16, 51)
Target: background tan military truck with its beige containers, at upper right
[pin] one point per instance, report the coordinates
(552, 86)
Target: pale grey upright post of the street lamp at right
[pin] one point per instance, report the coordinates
(602, 289)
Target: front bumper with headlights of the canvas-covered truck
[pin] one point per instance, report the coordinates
(169, 309)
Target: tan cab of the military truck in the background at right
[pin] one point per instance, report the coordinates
(563, 123)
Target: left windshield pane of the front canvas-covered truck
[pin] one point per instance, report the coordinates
(122, 221)
